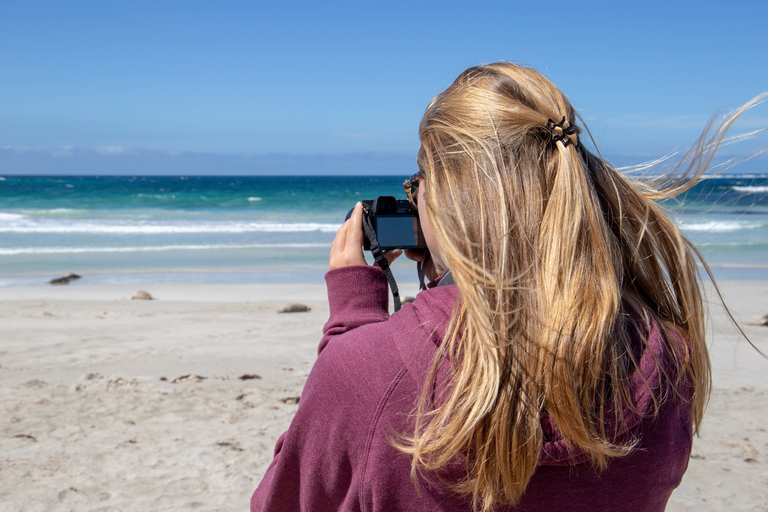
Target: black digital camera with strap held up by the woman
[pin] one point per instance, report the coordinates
(395, 222)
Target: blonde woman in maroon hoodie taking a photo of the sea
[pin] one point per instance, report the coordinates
(566, 368)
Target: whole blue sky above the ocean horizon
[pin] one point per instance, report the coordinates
(107, 85)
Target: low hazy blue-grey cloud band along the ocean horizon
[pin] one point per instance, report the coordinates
(119, 161)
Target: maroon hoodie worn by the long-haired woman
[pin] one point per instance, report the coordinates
(338, 455)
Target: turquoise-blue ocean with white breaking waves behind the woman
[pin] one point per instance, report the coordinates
(147, 230)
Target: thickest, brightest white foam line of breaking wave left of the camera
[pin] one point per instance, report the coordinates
(92, 227)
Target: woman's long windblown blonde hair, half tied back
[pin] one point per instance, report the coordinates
(553, 252)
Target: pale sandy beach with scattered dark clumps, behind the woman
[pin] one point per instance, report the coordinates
(112, 404)
